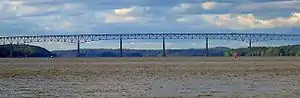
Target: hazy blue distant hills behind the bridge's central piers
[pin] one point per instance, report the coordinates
(218, 51)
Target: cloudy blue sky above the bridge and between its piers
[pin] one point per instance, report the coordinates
(50, 17)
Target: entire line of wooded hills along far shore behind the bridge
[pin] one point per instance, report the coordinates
(35, 51)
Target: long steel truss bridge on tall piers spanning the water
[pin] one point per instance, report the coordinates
(249, 37)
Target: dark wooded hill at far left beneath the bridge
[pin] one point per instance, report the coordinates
(25, 51)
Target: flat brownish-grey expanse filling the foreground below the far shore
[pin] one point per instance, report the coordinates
(201, 77)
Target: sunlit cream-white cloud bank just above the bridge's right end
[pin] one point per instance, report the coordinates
(249, 21)
